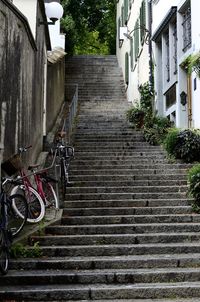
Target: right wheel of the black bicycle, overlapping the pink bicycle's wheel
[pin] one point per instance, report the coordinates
(17, 221)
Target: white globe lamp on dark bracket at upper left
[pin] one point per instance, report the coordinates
(54, 11)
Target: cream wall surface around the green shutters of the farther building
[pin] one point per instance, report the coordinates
(139, 68)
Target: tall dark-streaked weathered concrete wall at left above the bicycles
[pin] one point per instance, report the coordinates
(21, 82)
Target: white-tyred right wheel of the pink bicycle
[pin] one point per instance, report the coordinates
(51, 199)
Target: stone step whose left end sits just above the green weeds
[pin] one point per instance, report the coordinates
(108, 239)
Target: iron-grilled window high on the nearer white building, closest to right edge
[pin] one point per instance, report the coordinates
(186, 29)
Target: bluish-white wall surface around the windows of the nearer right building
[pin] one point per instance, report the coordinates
(182, 115)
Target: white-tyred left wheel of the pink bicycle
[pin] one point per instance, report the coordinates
(36, 206)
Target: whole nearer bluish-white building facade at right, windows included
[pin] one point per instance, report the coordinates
(176, 35)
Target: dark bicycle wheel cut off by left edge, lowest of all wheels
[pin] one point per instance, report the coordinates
(4, 252)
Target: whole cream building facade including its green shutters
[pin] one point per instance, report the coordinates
(133, 44)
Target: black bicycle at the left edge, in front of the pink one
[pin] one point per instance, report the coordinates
(11, 223)
